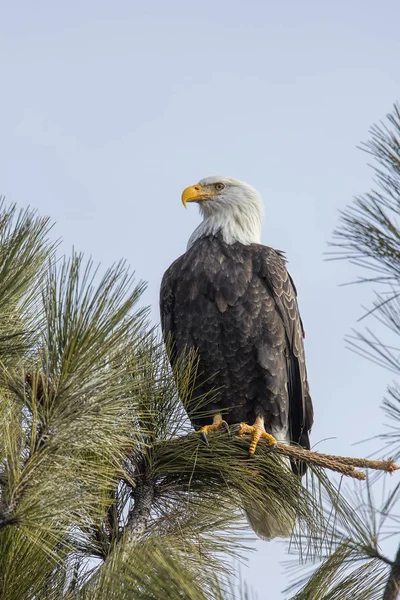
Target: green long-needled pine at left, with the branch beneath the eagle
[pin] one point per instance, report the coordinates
(105, 492)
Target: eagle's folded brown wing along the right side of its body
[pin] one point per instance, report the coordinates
(270, 267)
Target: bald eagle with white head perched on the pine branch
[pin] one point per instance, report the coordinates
(232, 299)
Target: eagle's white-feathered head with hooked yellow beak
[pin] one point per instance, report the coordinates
(229, 207)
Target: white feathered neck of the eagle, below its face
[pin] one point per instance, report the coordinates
(233, 227)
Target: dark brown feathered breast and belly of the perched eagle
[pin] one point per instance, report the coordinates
(224, 309)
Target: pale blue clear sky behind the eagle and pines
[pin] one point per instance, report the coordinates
(110, 109)
